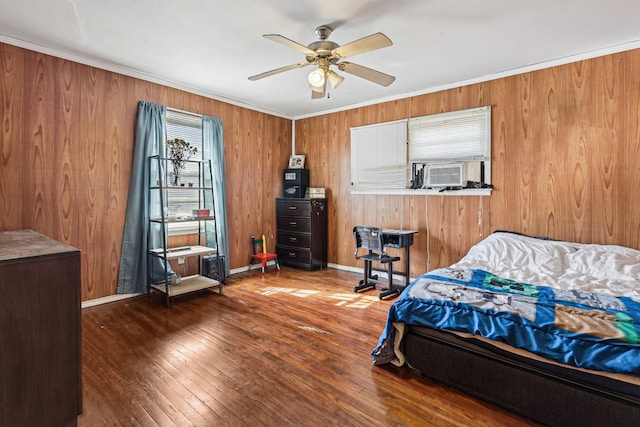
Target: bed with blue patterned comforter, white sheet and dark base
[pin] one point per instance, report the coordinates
(548, 329)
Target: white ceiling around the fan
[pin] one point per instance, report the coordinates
(211, 47)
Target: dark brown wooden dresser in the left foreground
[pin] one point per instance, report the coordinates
(40, 331)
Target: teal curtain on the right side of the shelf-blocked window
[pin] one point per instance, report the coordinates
(213, 147)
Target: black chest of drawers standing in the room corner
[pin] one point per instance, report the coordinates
(302, 233)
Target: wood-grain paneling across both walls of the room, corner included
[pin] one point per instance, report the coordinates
(566, 160)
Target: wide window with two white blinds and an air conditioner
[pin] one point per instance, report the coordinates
(448, 150)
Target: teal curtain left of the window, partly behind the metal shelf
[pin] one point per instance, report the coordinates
(149, 141)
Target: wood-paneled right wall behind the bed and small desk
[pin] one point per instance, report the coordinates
(565, 160)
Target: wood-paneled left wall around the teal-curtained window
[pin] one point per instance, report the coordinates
(66, 147)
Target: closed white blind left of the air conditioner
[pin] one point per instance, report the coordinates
(379, 156)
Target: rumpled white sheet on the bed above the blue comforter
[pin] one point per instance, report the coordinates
(607, 269)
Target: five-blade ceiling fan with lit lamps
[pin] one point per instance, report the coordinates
(324, 53)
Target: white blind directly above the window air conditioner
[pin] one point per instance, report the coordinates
(453, 136)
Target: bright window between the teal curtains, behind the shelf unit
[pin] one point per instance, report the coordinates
(181, 203)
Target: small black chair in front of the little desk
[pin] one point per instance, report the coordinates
(371, 239)
